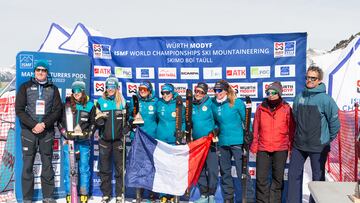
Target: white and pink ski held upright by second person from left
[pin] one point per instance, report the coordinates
(72, 158)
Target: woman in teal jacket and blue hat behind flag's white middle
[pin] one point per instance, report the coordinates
(166, 114)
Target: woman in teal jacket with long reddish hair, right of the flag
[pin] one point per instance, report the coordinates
(229, 113)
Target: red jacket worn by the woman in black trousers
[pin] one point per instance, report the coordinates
(273, 130)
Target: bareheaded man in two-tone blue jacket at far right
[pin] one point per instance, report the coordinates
(317, 124)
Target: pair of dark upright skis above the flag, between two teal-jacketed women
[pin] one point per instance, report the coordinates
(183, 137)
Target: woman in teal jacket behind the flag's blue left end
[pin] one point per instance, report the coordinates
(147, 110)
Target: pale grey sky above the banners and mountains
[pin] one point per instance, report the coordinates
(24, 24)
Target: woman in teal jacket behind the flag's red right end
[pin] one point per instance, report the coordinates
(203, 123)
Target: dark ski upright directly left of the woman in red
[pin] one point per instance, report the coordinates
(246, 145)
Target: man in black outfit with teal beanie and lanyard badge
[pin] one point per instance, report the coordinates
(38, 106)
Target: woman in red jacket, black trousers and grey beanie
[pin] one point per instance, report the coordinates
(273, 134)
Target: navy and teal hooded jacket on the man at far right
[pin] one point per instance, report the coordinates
(316, 116)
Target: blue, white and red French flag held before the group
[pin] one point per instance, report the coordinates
(164, 168)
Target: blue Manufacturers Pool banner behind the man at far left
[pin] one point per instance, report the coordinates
(63, 69)
